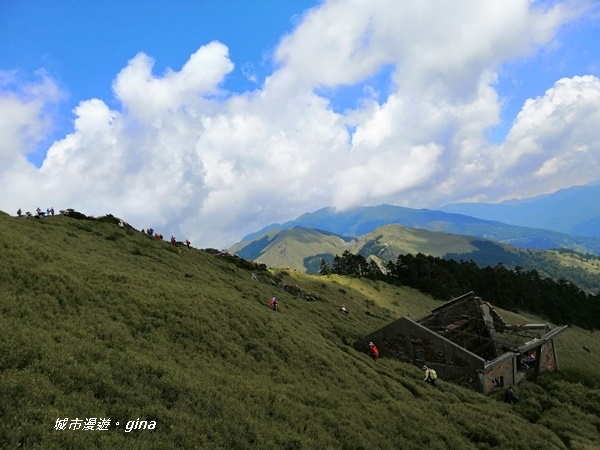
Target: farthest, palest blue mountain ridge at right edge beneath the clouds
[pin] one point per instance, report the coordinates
(567, 211)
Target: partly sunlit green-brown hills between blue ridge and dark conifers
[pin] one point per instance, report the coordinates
(303, 248)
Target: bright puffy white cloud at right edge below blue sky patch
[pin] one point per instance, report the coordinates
(554, 138)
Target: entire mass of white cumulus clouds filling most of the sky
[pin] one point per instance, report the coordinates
(188, 158)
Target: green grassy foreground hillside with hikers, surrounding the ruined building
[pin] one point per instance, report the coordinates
(102, 322)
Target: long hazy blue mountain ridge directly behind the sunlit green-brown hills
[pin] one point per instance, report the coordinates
(361, 220)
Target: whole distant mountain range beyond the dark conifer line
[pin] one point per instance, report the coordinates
(383, 232)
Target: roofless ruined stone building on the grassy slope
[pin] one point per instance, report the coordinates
(466, 341)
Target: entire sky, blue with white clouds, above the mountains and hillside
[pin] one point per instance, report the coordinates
(337, 103)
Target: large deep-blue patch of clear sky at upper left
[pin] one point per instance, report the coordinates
(84, 44)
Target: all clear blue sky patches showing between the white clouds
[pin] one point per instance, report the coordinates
(84, 44)
